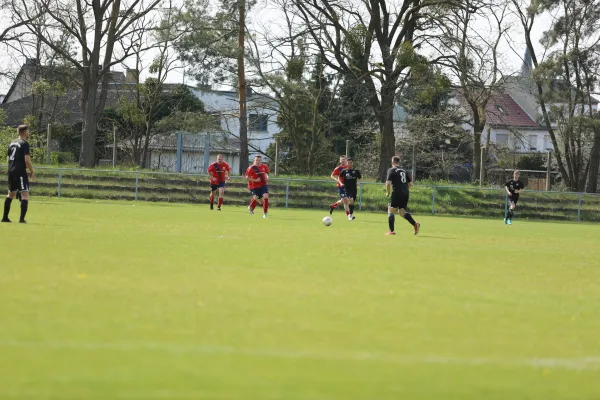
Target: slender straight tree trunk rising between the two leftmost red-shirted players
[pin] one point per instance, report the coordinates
(244, 154)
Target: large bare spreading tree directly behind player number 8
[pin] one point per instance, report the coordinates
(373, 41)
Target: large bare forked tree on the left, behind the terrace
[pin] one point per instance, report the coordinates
(96, 27)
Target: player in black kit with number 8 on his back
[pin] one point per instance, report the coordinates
(399, 181)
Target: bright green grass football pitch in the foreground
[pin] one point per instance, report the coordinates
(123, 300)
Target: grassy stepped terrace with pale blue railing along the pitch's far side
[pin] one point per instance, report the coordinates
(315, 194)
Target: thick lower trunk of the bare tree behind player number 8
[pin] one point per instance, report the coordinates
(387, 145)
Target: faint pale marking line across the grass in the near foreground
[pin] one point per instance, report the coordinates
(561, 363)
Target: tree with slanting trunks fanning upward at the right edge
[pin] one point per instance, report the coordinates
(564, 82)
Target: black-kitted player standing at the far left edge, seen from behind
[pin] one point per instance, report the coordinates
(19, 162)
